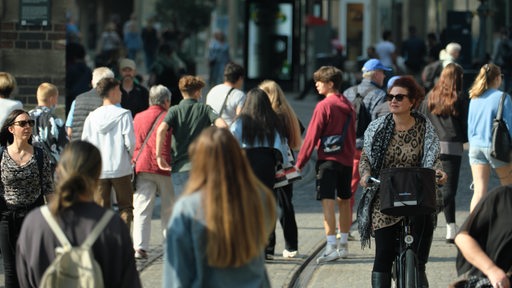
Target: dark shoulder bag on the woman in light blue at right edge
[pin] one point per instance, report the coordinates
(501, 142)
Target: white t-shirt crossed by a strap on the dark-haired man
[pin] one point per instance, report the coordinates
(215, 99)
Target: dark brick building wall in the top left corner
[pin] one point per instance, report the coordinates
(33, 54)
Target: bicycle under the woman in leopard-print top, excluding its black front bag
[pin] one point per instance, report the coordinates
(405, 271)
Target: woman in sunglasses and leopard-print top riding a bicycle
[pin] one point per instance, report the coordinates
(402, 138)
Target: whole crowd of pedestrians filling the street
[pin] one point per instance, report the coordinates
(213, 162)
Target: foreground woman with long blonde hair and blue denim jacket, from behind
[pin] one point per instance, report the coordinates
(219, 227)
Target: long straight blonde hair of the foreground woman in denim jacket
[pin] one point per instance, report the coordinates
(239, 210)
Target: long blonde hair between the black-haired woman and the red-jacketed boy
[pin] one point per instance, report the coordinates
(284, 111)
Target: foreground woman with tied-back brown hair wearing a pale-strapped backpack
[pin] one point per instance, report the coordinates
(77, 214)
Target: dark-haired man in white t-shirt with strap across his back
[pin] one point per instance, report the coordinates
(227, 99)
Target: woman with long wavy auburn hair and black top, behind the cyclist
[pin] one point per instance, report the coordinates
(447, 107)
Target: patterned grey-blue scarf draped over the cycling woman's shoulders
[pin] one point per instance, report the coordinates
(376, 142)
